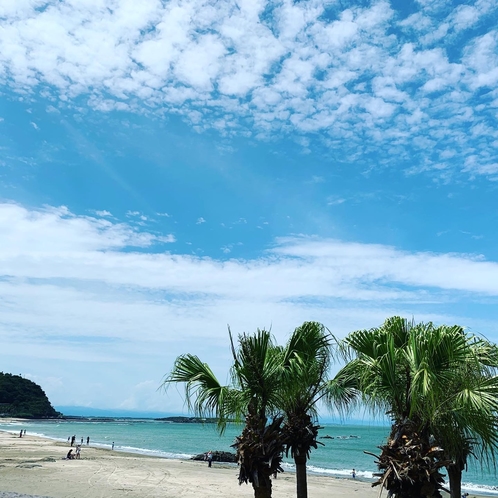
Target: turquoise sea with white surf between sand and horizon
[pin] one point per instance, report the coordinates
(336, 458)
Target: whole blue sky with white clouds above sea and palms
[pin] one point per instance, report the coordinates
(169, 168)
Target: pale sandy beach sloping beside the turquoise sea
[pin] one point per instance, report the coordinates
(36, 466)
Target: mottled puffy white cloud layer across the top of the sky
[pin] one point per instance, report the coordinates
(349, 75)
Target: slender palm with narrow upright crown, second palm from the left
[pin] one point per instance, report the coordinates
(305, 364)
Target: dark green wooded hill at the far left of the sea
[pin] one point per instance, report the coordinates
(23, 398)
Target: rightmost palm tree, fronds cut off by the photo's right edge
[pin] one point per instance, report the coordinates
(466, 421)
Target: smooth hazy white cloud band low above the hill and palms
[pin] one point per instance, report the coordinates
(81, 303)
